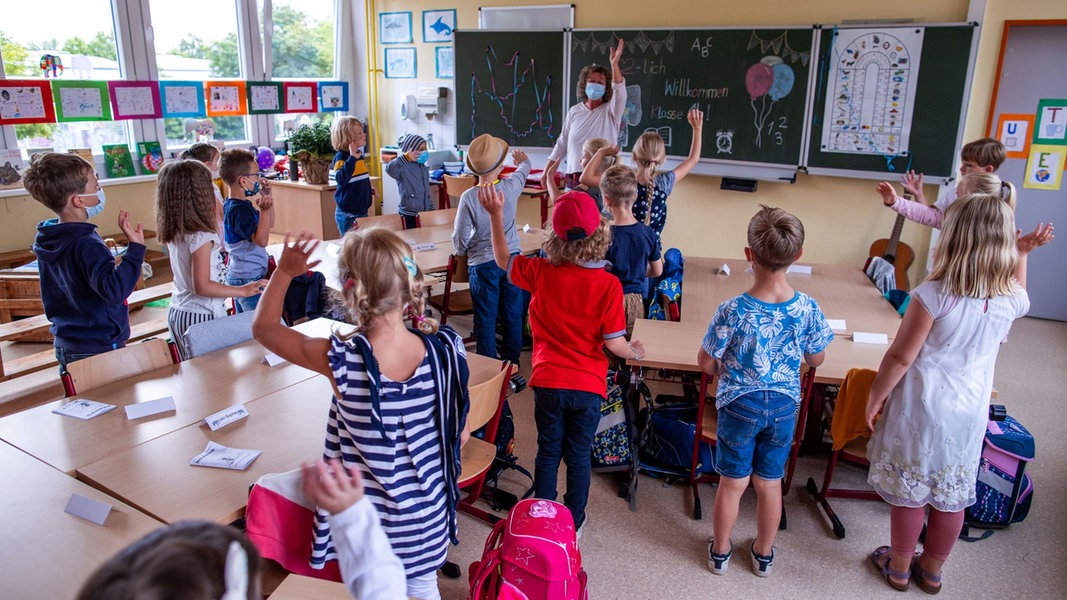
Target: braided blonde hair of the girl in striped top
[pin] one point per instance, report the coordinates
(374, 266)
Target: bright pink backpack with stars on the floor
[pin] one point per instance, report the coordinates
(533, 555)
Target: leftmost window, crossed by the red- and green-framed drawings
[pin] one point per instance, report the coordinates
(78, 38)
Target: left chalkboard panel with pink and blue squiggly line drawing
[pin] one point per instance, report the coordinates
(508, 84)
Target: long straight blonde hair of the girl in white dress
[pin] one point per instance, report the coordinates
(977, 254)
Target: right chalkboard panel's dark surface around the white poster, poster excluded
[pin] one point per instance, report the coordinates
(942, 94)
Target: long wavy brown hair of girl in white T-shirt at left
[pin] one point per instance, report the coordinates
(185, 201)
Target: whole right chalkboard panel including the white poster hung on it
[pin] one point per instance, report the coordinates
(854, 68)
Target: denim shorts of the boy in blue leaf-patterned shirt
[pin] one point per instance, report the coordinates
(756, 435)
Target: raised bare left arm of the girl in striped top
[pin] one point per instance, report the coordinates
(268, 329)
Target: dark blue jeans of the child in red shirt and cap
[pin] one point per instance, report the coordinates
(566, 423)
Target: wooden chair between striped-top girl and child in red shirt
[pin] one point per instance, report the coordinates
(487, 403)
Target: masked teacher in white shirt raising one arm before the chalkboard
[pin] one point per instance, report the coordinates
(602, 100)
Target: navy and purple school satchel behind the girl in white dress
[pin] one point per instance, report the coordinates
(1005, 491)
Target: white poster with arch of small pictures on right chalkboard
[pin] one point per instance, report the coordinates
(870, 99)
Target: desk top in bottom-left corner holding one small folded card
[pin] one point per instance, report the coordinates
(44, 551)
